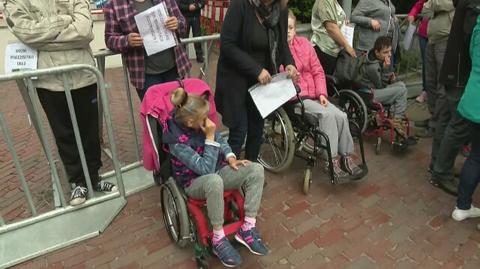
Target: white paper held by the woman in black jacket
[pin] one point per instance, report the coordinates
(271, 96)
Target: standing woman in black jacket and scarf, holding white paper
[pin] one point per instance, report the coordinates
(253, 45)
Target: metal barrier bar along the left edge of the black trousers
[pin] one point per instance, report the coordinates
(41, 134)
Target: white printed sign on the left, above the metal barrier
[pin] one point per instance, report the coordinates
(20, 57)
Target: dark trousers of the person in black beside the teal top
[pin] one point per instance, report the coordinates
(451, 132)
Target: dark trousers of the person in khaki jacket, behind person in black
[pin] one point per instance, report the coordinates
(436, 97)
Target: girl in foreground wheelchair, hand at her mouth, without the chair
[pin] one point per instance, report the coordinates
(204, 165)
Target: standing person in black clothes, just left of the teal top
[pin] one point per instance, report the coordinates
(457, 64)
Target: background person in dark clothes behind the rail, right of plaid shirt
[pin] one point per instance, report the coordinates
(191, 11)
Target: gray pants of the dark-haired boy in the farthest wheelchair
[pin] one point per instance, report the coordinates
(394, 94)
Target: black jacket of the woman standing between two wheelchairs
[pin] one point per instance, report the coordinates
(237, 70)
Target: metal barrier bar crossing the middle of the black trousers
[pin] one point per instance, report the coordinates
(78, 138)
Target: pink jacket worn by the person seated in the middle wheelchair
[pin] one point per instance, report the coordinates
(312, 77)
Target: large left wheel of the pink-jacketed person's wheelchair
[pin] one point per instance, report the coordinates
(278, 148)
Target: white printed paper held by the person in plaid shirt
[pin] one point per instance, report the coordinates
(151, 25)
